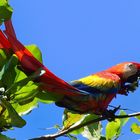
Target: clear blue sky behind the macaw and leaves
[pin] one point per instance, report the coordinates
(78, 38)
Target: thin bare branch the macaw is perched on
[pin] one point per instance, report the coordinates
(72, 128)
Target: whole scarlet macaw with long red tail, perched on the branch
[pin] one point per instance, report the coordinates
(91, 94)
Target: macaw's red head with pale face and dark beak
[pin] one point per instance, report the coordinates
(127, 71)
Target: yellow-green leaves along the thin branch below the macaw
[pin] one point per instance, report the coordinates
(113, 129)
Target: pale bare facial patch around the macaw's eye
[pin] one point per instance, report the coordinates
(129, 70)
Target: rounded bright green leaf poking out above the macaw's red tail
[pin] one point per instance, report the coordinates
(35, 51)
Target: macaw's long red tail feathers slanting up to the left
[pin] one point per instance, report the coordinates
(30, 64)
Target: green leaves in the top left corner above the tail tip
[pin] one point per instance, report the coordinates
(5, 11)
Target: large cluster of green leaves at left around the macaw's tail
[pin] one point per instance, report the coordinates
(19, 94)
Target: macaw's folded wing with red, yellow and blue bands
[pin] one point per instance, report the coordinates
(103, 82)
